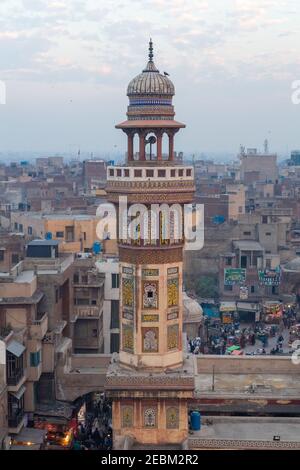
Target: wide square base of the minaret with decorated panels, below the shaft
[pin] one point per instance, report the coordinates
(150, 408)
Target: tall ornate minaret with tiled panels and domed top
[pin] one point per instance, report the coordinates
(151, 382)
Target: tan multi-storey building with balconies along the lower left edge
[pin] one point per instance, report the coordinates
(24, 323)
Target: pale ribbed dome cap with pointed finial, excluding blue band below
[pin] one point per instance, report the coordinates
(150, 81)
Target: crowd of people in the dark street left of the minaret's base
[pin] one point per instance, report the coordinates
(95, 433)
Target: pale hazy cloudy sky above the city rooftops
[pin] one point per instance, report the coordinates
(66, 65)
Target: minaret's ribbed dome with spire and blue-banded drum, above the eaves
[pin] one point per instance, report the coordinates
(150, 94)
